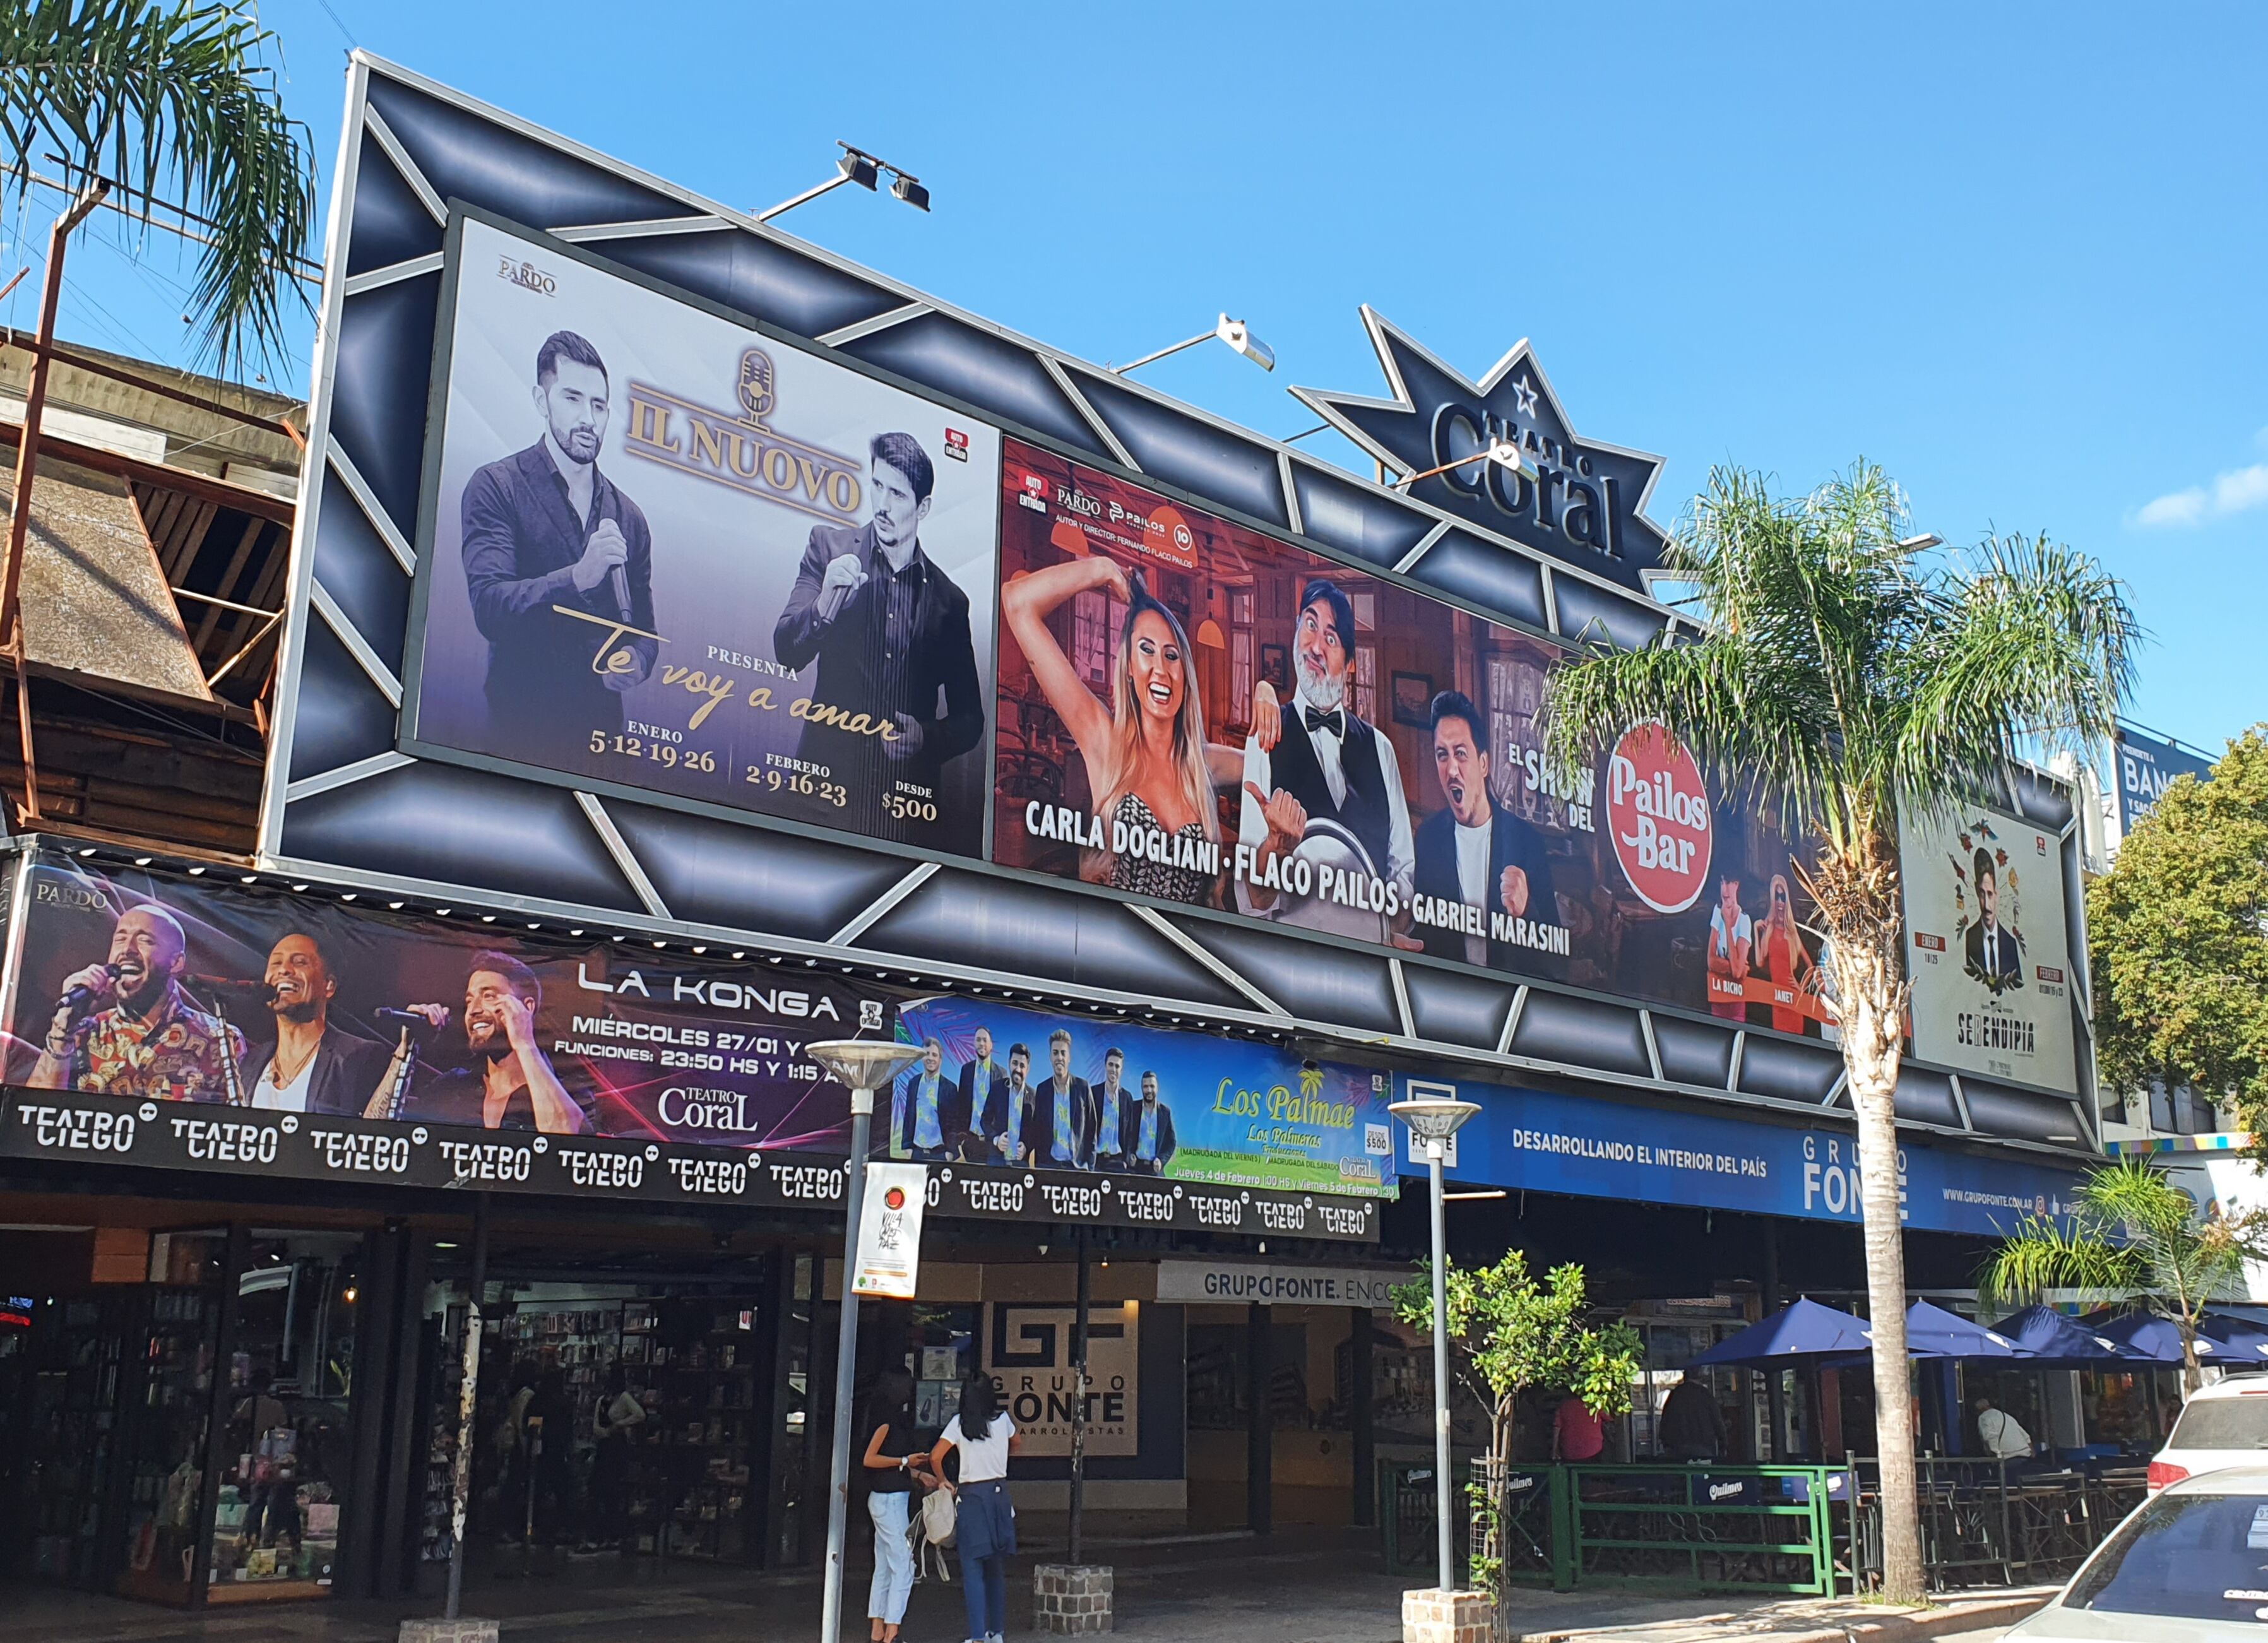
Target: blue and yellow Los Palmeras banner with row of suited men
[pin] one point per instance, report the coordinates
(1022, 1090)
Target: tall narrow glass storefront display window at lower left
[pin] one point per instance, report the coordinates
(287, 1438)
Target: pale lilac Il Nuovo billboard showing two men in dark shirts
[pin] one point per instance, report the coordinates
(675, 557)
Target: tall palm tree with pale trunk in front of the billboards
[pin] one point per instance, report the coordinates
(1859, 675)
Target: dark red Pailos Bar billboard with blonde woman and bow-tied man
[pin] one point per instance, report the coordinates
(1201, 714)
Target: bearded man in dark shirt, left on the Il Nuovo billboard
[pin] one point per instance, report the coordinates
(559, 566)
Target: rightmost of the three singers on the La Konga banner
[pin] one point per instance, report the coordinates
(509, 1084)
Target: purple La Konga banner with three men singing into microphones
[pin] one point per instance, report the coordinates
(212, 995)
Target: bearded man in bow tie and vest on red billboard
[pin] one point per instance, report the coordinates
(1323, 766)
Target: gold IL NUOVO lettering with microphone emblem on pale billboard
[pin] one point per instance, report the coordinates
(743, 450)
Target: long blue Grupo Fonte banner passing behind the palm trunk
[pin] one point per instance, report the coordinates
(1616, 1149)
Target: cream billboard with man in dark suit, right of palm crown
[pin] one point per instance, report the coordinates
(1988, 945)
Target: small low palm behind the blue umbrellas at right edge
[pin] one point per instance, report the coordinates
(2135, 1242)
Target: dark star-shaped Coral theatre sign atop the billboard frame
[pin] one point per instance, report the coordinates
(1575, 500)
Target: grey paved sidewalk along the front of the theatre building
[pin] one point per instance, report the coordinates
(1321, 1587)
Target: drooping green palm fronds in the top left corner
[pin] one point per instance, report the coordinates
(169, 101)
